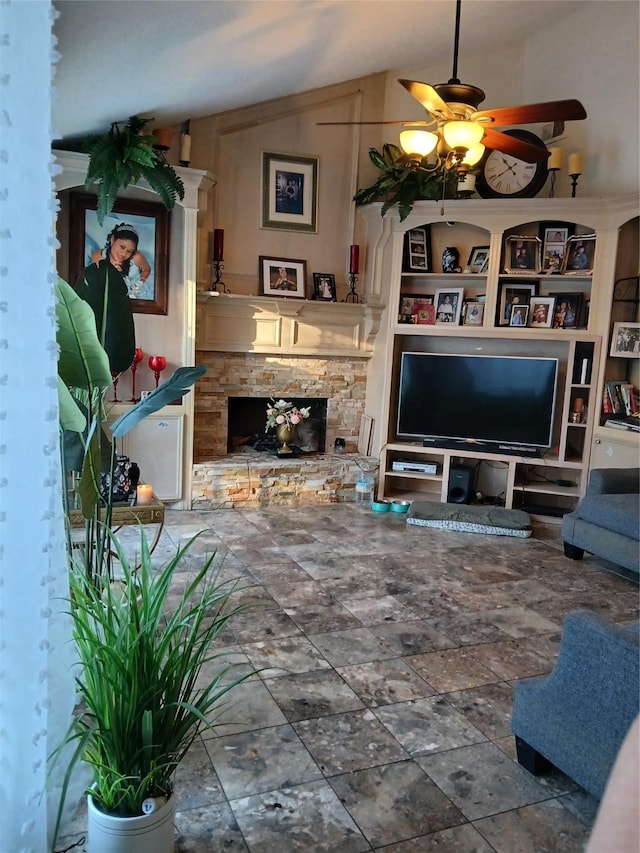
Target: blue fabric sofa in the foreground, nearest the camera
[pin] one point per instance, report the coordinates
(577, 717)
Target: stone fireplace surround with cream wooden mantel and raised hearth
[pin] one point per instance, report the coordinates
(280, 348)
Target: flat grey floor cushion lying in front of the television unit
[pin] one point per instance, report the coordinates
(470, 519)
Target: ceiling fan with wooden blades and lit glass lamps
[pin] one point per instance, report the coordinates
(461, 132)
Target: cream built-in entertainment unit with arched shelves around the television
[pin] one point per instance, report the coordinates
(554, 482)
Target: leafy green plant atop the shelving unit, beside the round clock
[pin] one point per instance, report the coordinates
(405, 180)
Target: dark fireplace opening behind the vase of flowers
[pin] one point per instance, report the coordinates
(247, 417)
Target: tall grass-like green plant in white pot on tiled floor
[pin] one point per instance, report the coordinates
(143, 697)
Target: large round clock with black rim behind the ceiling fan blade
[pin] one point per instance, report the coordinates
(504, 176)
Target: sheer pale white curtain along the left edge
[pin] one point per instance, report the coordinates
(36, 679)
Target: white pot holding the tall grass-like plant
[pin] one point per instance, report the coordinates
(152, 833)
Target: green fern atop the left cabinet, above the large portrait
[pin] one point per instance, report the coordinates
(123, 156)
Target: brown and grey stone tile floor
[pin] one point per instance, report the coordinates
(380, 717)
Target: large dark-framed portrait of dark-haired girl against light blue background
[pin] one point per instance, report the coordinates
(145, 240)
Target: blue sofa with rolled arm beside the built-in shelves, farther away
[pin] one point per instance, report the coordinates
(607, 520)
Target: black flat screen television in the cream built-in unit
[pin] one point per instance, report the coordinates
(508, 401)
